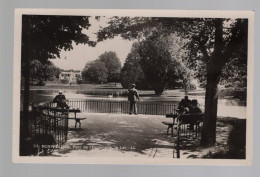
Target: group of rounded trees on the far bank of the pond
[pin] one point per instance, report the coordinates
(151, 64)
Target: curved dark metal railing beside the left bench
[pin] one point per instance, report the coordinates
(49, 127)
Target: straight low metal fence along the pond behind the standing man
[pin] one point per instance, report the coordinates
(120, 106)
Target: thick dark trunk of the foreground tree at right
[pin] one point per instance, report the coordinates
(214, 69)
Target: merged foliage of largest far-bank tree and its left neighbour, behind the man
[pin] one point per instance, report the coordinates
(154, 62)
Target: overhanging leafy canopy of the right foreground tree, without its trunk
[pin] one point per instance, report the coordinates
(199, 33)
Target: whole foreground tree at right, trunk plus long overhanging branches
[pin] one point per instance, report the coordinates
(212, 42)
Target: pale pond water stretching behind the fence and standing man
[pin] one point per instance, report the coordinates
(226, 107)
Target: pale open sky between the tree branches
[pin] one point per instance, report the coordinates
(81, 54)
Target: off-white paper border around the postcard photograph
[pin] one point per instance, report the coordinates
(126, 12)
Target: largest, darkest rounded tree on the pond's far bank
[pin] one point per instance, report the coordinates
(157, 62)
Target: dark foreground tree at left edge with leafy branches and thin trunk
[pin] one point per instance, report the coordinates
(43, 38)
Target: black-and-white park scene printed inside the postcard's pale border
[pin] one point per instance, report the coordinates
(133, 87)
